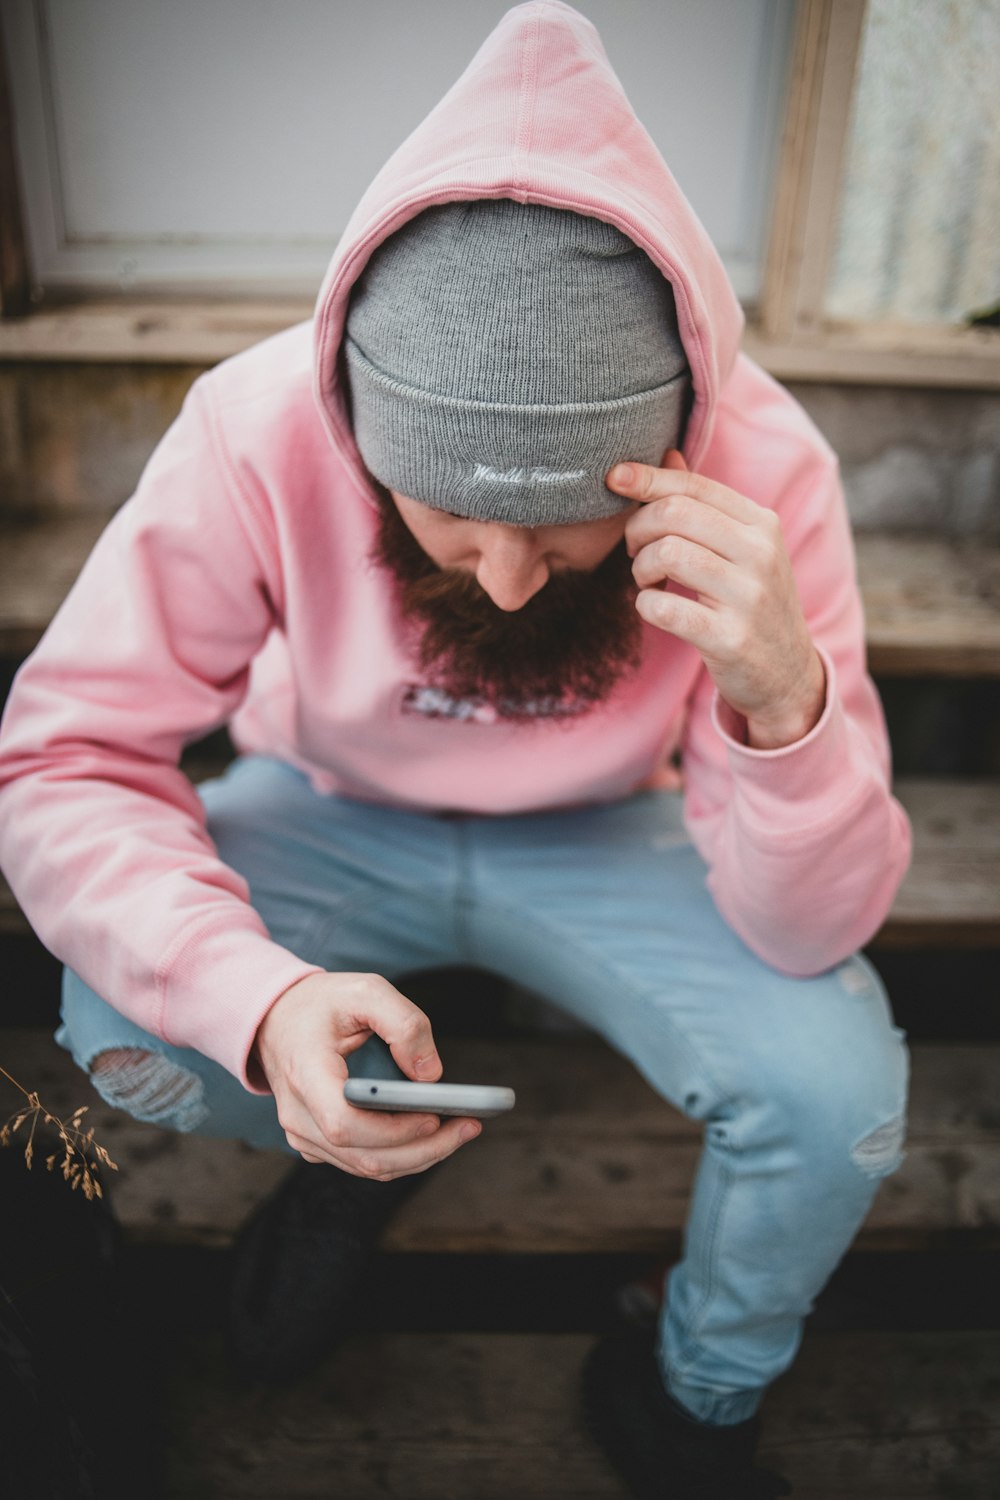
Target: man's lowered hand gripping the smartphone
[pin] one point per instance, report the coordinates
(302, 1046)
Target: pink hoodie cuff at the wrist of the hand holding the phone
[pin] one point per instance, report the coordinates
(218, 989)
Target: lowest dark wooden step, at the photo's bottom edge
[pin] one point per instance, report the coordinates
(487, 1417)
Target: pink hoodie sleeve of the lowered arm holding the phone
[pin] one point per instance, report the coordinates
(103, 838)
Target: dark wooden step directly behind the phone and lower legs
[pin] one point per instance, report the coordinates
(591, 1160)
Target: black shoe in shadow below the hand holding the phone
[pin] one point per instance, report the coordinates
(299, 1262)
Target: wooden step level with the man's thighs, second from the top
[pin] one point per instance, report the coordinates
(950, 898)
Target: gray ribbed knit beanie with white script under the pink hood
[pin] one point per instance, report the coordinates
(501, 358)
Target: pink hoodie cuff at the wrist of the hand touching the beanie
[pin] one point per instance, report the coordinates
(810, 776)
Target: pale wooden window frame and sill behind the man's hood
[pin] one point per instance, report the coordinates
(786, 332)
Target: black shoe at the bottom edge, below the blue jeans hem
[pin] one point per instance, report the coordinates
(662, 1451)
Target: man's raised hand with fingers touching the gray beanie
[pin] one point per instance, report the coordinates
(746, 619)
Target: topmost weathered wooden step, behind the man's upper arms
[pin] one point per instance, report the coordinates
(932, 607)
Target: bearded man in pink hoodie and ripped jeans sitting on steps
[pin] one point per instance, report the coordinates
(458, 649)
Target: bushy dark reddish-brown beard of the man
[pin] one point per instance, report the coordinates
(561, 655)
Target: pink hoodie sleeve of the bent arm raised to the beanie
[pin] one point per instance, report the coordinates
(806, 845)
